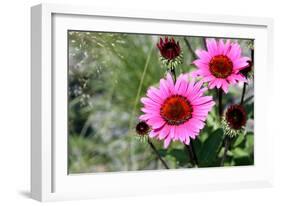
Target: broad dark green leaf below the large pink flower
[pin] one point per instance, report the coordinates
(210, 147)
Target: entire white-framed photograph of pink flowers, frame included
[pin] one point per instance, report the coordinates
(137, 102)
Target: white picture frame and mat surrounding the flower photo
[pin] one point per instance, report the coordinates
(49, 178)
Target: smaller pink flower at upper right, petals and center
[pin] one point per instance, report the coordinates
(220, 65)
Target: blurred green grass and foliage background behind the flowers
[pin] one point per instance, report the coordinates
(105, 72)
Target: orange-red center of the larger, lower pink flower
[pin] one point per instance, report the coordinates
(176, 110)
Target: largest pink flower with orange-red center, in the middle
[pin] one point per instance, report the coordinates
(176, 111)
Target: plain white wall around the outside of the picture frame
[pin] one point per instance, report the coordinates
(15, 95)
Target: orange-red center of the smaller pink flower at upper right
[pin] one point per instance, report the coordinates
(221, 66)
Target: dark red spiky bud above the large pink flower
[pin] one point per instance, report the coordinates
(168, 48)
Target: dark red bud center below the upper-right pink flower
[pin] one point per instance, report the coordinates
(236, 116)
